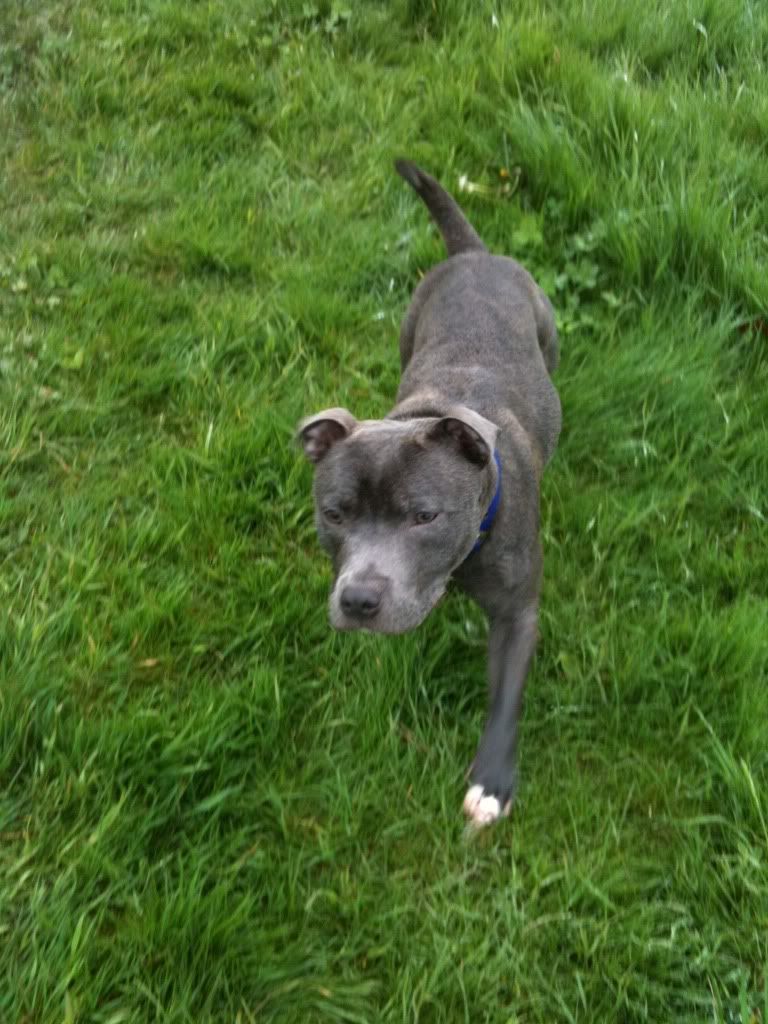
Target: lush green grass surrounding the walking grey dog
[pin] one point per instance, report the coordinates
(211, 807)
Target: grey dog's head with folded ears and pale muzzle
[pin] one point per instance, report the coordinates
(399, 506)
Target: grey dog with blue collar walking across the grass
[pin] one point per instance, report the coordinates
(447, 486)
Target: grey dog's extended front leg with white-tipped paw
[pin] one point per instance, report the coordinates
(493, 776)
